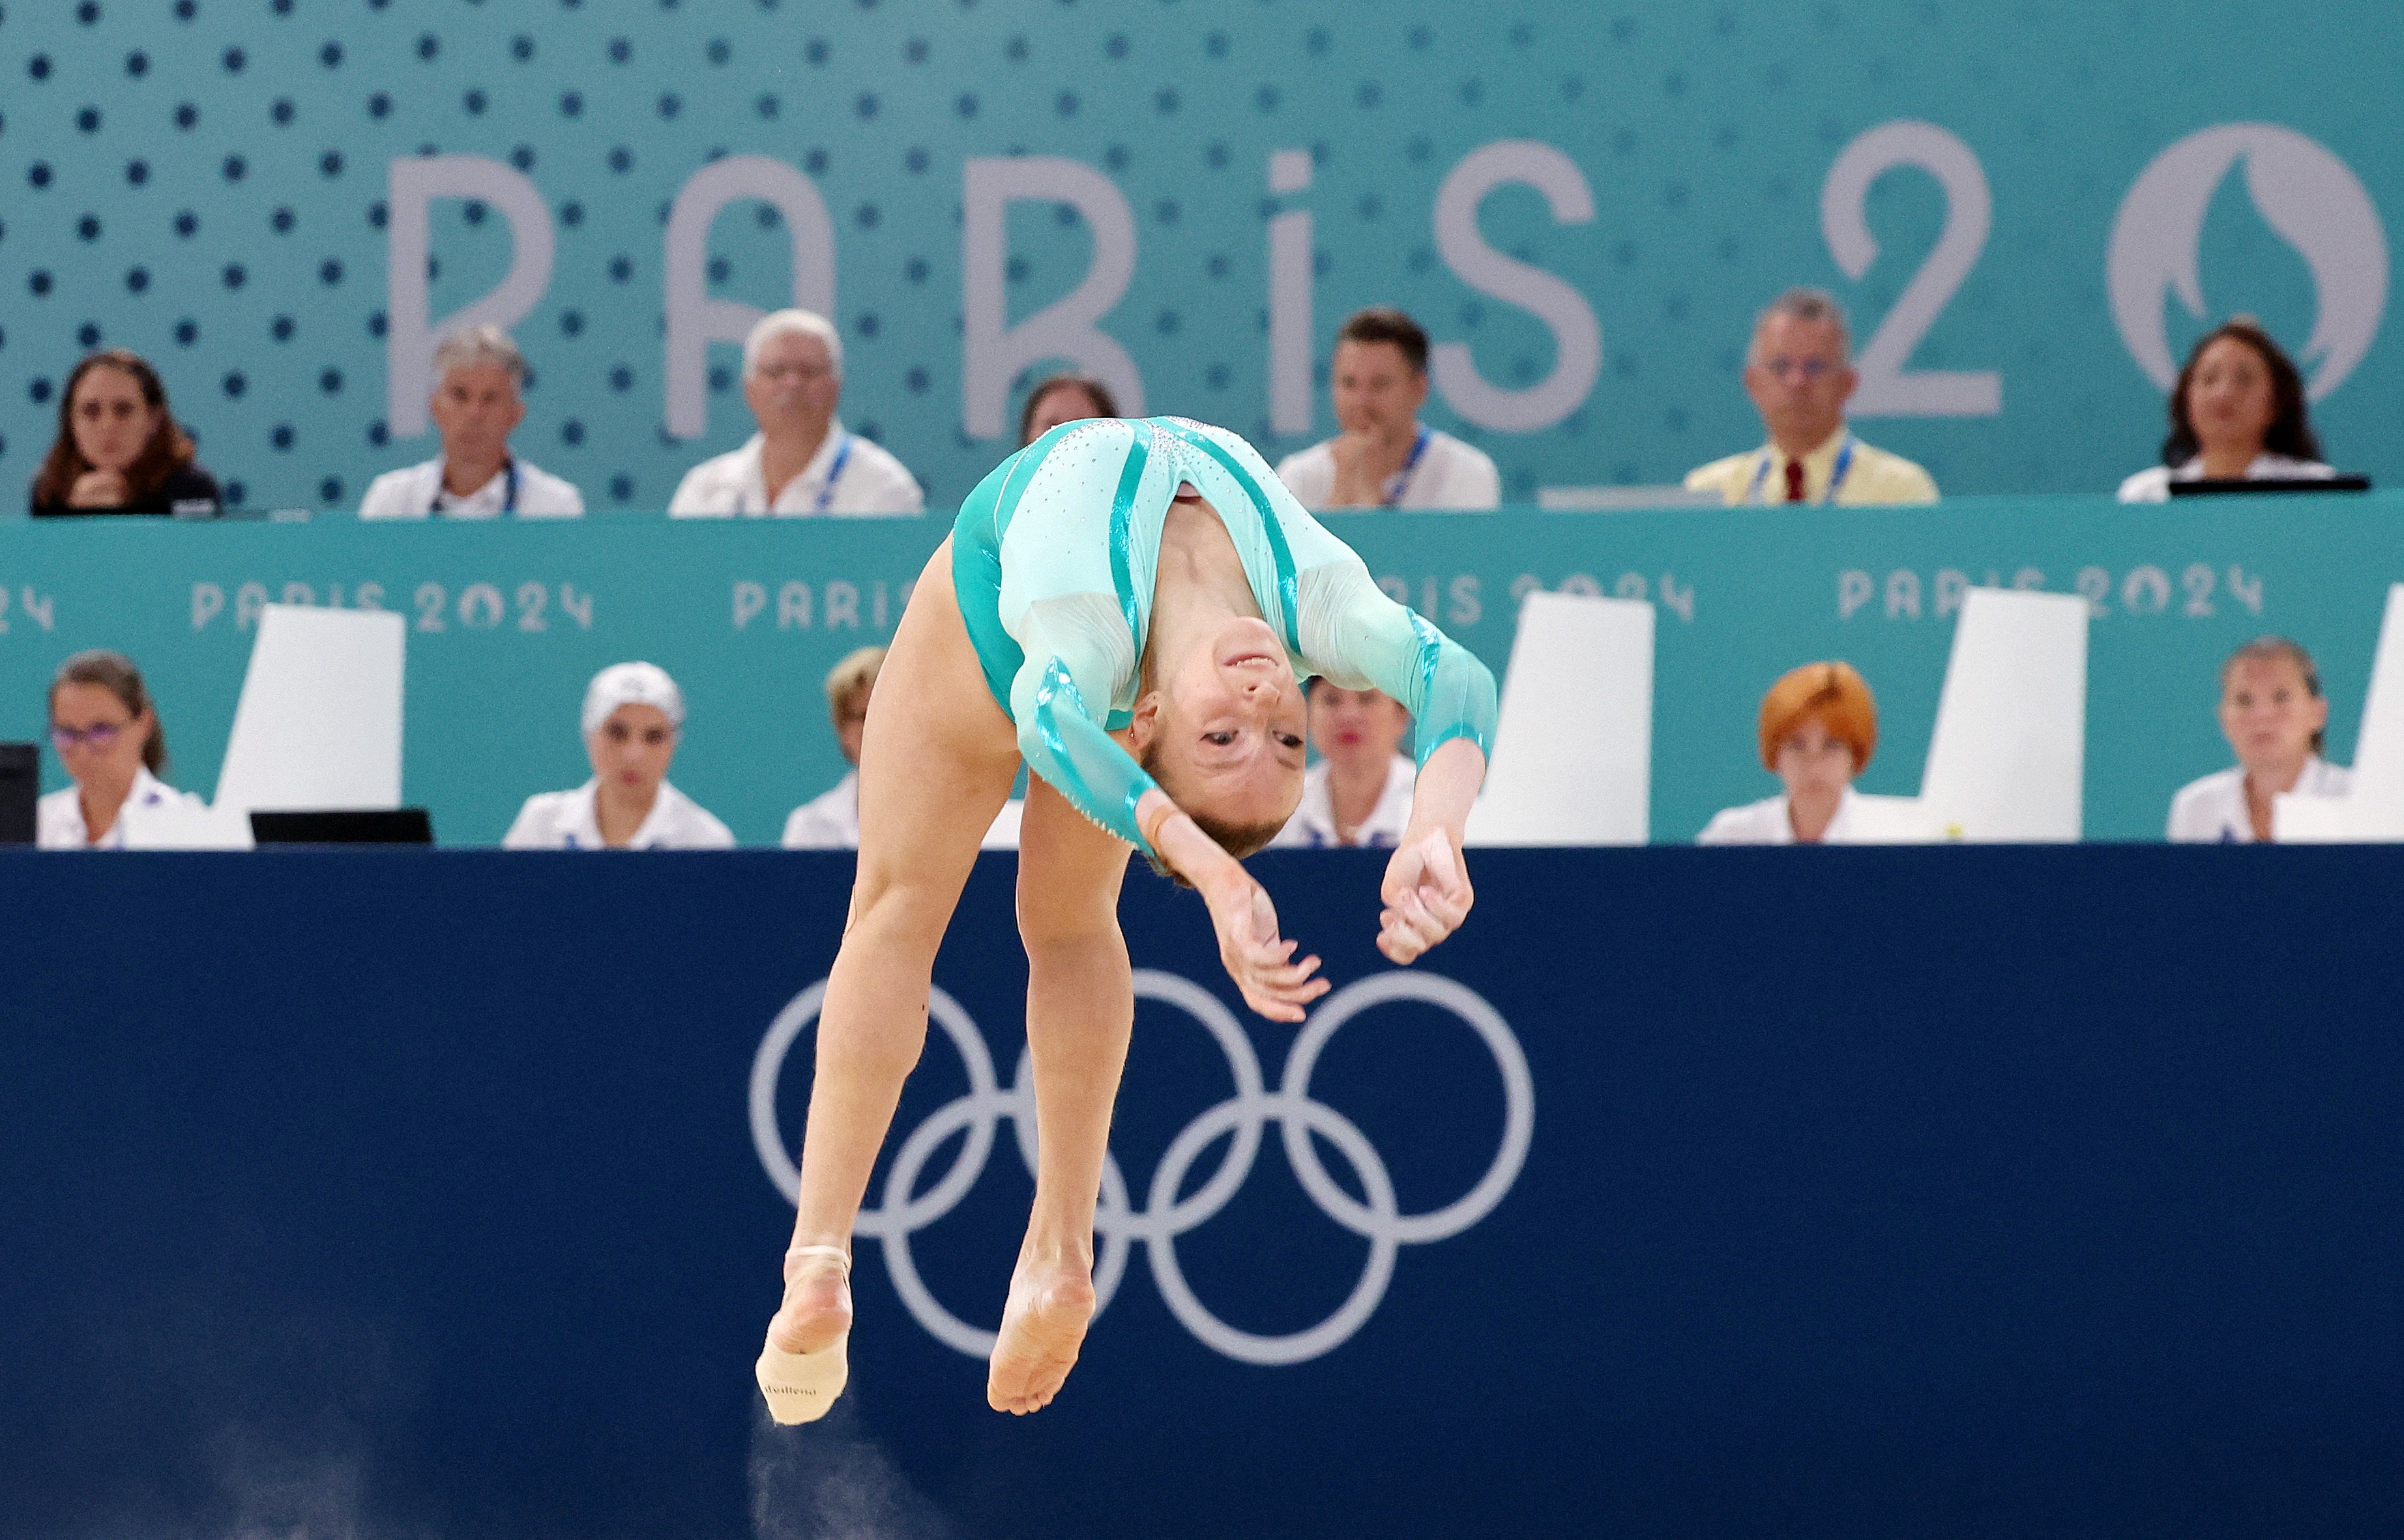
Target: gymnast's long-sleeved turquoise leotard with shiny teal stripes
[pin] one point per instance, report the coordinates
(1054, 561)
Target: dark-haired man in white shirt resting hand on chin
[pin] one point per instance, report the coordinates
(1386, 455)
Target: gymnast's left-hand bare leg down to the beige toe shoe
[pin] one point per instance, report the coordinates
(936, 765)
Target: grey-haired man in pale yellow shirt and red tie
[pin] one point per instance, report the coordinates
(1799, 376)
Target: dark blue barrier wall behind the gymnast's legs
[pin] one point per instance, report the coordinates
(1989, 1193)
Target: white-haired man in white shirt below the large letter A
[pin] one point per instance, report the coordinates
(802, 460)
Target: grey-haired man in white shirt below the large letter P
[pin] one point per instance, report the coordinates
(477, 407)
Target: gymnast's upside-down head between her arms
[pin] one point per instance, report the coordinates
(1222, 732)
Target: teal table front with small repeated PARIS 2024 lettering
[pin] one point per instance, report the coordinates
(508, 621)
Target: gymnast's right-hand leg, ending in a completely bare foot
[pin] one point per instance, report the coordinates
(1081, 1010)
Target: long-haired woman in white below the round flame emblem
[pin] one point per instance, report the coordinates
(2237, 414)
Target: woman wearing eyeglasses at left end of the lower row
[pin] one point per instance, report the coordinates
(107, 734)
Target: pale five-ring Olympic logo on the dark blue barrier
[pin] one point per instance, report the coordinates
(1158, 1226)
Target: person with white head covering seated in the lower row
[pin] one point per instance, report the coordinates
(633, 720)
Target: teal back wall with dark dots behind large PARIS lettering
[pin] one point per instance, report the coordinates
(208, 181)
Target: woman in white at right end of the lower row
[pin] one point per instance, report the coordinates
(2275, 720)
